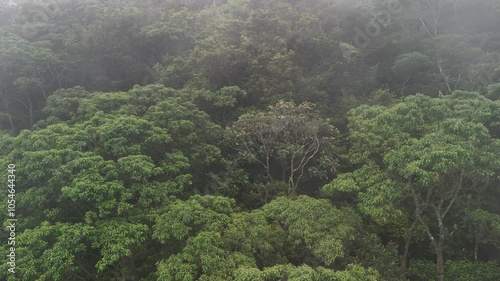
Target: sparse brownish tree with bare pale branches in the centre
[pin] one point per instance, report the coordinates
(288, 134)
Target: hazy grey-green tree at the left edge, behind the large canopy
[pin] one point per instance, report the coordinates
(28, 73)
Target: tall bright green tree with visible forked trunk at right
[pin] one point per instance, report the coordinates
(421, 157)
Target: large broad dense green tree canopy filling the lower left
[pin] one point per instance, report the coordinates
(96, 173)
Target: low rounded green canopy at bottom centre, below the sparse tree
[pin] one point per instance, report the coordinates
(209, 240)
